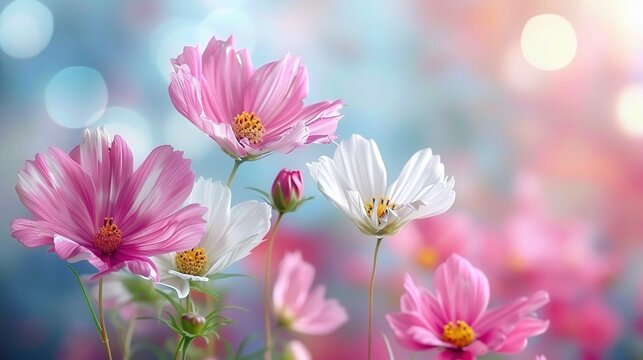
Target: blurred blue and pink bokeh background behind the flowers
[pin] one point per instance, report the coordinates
(536, 108)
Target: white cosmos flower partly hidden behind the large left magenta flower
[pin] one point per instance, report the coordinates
(231, 233)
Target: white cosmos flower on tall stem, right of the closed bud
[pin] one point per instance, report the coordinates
(354, 181)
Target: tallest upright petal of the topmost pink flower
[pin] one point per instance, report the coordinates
(226, 73)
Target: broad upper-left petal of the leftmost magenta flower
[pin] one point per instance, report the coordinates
(57, 191)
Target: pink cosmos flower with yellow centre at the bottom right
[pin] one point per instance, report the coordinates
(456, 319)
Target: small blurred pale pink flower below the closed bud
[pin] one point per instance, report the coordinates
(297, 307)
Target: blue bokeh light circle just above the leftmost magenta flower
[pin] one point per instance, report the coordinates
(75, 95)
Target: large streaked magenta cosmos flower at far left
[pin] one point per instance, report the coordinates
(91, 205)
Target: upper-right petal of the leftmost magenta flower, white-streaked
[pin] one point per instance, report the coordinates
(155, 190)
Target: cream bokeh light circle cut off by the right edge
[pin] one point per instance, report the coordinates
(629, 110)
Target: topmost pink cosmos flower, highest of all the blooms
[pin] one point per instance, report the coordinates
(248, 112)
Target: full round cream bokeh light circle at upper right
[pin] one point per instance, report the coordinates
(548, 42)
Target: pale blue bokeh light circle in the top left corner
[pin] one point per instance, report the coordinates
(26, 27)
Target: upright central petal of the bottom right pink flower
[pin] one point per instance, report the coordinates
(462, 290)
